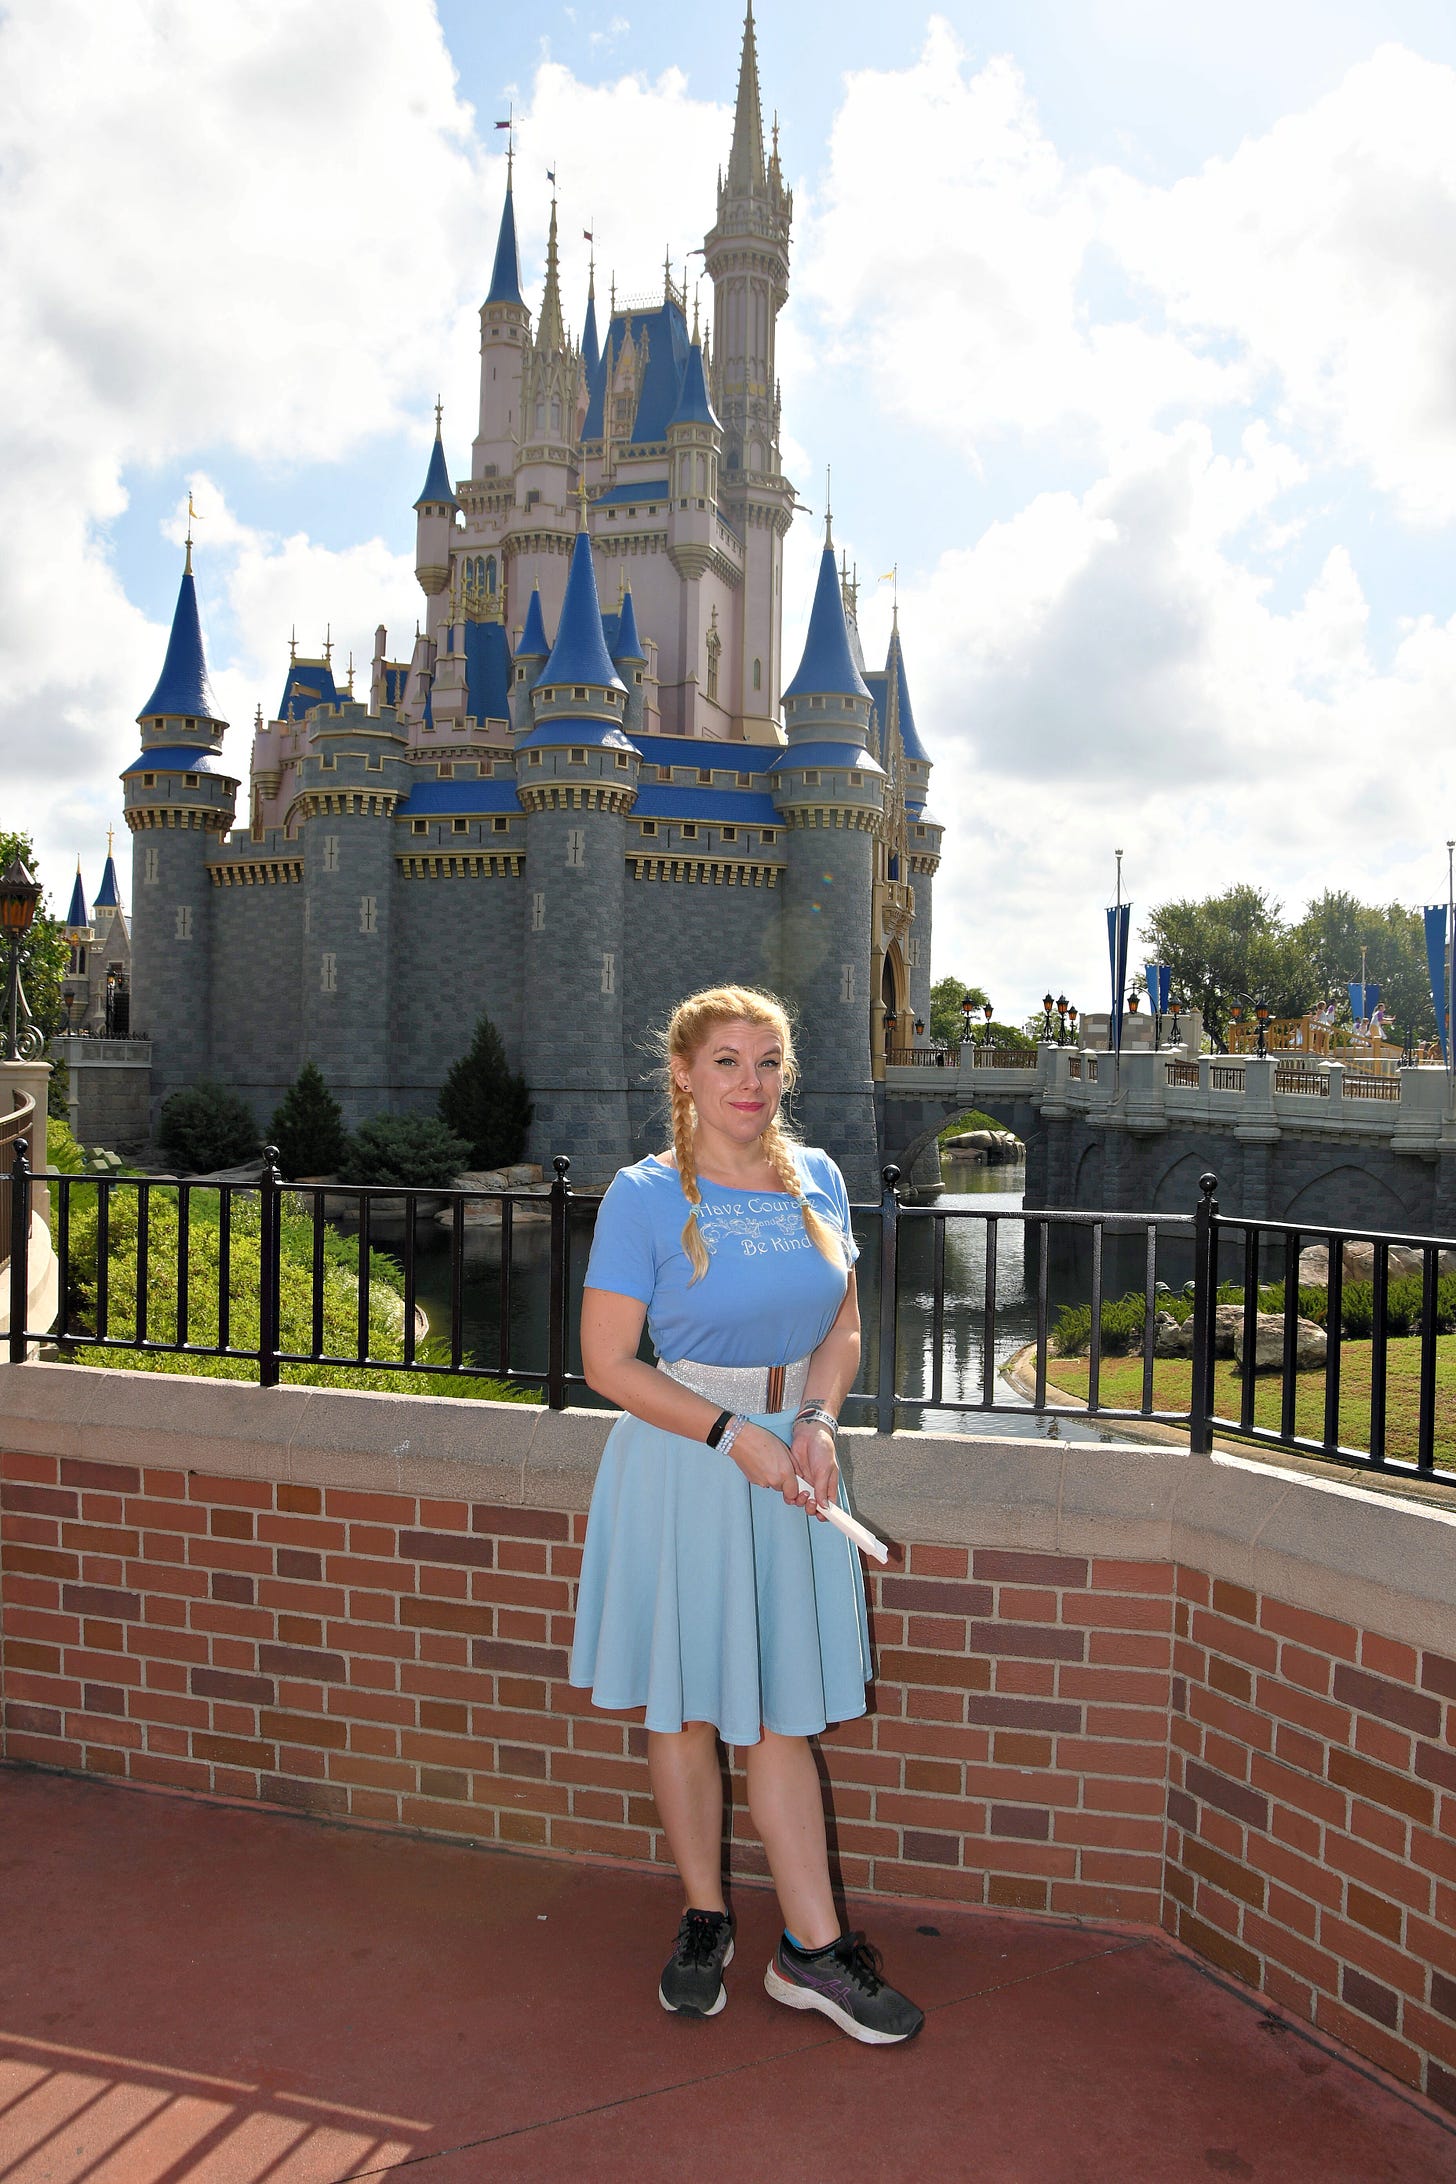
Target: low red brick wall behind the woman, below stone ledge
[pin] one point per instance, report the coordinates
(1060, 1733)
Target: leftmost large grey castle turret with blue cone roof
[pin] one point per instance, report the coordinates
(180, 798)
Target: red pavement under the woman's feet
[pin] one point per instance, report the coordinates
(226, 1997)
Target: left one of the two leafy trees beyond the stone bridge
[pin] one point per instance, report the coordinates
(1232, 949)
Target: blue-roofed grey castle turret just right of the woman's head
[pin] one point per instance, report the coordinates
(828, 792)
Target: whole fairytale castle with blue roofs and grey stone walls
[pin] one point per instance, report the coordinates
(588, 787)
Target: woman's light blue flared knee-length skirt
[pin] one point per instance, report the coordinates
(711, 1600)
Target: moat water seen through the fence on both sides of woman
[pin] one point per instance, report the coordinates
(977, 1189)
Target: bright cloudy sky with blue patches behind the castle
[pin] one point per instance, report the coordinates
(1127, 329)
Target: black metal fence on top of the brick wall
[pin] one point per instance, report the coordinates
(948, 1296)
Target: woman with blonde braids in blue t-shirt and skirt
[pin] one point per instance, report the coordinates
(713, 1589)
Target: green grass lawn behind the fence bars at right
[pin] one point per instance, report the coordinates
(1121, 1388)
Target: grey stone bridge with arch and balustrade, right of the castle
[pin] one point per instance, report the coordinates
(1285, 1139)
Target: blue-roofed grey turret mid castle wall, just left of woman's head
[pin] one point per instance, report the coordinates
(577, 781)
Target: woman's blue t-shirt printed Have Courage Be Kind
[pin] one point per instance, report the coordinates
(769, 1296)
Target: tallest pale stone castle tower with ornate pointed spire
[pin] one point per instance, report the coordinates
(748, 263)
